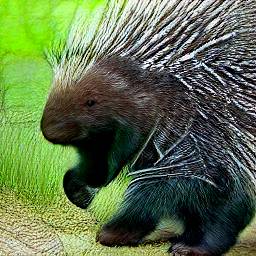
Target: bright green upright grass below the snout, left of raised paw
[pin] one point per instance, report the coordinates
(30, 166)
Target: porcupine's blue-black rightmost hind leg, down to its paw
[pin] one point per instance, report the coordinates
(212, 229)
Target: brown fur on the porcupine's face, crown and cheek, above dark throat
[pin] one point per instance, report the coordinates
(134, 98)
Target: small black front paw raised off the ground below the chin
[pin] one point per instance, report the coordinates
(77, 191)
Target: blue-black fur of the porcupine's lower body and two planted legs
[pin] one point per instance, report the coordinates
(212, 218)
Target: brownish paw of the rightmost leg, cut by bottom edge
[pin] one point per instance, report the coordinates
(180, 249)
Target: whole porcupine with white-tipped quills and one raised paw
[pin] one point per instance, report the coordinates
(167, 88)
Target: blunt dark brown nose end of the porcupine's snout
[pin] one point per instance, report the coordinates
(59, 130)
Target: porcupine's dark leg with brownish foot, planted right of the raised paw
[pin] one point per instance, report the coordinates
(136, 218)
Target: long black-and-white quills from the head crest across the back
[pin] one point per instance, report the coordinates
(210, 46)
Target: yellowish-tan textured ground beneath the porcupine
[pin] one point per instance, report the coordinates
(66, 230)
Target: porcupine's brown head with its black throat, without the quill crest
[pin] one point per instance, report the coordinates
(107, 115)
